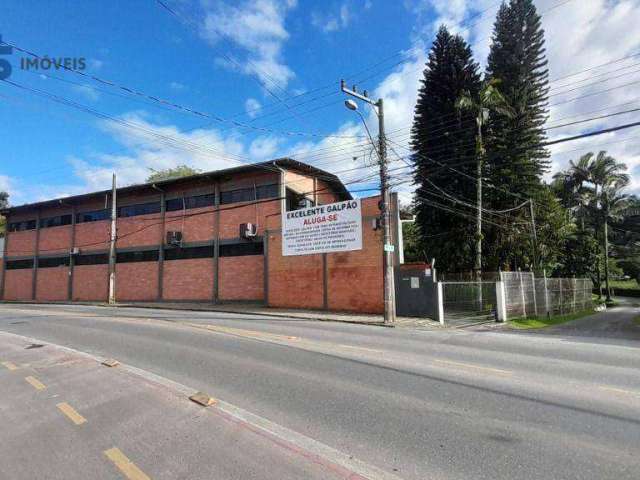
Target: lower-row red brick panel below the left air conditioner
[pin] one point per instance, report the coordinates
(188, 279)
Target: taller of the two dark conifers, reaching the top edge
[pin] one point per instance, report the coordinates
(515, 155)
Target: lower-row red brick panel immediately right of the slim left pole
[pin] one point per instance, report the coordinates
(137, 281)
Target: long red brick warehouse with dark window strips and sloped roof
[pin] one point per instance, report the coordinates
(212, 237)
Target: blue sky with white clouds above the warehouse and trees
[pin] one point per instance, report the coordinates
(219, 83)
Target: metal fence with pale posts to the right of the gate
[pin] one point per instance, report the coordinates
(528, 296)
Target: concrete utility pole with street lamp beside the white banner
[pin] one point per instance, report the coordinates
(385, 204)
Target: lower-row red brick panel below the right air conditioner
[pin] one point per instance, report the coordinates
(241, 278)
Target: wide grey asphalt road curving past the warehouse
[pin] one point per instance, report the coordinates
(419, 404)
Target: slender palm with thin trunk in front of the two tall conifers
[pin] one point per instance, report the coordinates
(489, 99)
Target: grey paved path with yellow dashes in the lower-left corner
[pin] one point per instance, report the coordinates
(66, 416)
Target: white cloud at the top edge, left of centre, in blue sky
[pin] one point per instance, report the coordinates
(258, 28)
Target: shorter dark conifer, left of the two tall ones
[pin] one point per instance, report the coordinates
(443, 135)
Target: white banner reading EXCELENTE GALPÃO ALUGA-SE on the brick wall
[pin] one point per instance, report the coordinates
(334, 227)
